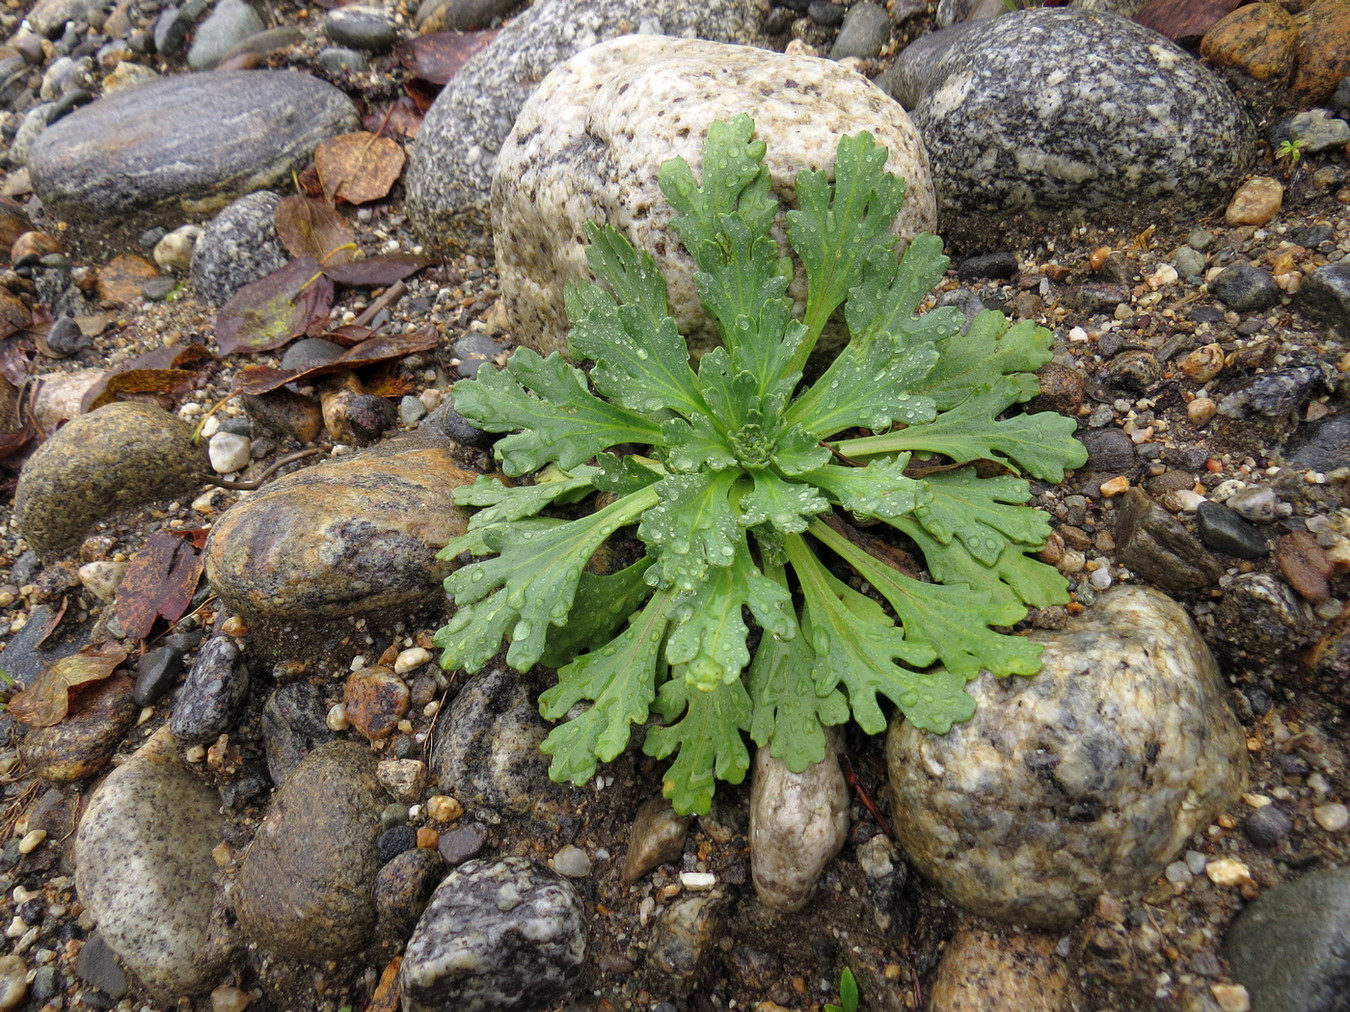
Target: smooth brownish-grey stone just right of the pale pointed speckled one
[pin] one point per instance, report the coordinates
(306, 887)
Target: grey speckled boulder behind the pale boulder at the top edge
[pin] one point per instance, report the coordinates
(452, 167)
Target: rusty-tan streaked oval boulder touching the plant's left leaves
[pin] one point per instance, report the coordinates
(349, 536)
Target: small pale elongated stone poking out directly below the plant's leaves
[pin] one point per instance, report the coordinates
(799, 824)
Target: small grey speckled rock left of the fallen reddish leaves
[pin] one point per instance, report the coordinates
(237, 248)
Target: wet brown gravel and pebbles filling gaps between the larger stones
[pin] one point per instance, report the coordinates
(1179, 393)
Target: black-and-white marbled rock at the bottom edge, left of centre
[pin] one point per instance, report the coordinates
(497, 936)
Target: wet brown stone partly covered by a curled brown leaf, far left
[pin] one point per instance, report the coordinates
(87, 739)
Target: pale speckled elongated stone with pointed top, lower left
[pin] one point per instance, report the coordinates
(146, 875)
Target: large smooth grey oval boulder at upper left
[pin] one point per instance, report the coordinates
(184, 144)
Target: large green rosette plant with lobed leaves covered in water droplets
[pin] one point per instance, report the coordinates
(740, 481)
